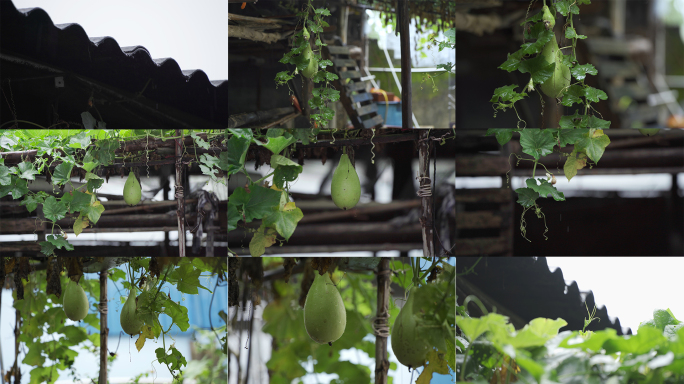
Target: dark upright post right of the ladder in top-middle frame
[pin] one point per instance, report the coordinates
(403, 19)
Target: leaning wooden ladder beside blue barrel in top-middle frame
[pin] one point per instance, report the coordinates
(359, 104)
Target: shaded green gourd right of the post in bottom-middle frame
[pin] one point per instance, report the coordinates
(410, 349)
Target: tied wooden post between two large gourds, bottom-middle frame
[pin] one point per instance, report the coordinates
(381, 322)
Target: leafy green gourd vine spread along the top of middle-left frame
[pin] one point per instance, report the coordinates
(91, 154)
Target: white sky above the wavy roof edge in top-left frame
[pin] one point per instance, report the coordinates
(195, 34)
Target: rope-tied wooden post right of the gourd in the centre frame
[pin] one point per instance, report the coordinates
(425, 192)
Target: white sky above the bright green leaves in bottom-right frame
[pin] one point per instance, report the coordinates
(630, 287)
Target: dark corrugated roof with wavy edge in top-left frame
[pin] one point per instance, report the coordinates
(30, 34)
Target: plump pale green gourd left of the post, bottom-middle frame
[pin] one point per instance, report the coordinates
(324, 315)
